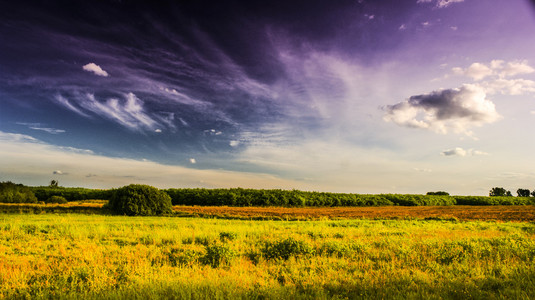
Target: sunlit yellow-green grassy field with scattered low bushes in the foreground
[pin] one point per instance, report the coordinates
(98, 256)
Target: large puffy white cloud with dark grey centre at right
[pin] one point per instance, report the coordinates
(444, 110)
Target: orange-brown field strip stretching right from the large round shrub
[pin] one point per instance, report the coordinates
(487, 213)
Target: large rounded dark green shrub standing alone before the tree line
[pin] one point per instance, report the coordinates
(139, 200)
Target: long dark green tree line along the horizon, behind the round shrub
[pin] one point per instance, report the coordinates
(18, 193)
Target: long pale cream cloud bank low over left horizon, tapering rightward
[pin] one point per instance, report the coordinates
(29, 160)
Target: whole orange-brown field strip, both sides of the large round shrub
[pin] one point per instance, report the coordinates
(519, 213)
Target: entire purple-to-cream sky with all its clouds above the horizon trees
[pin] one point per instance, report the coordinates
(360, 96)
